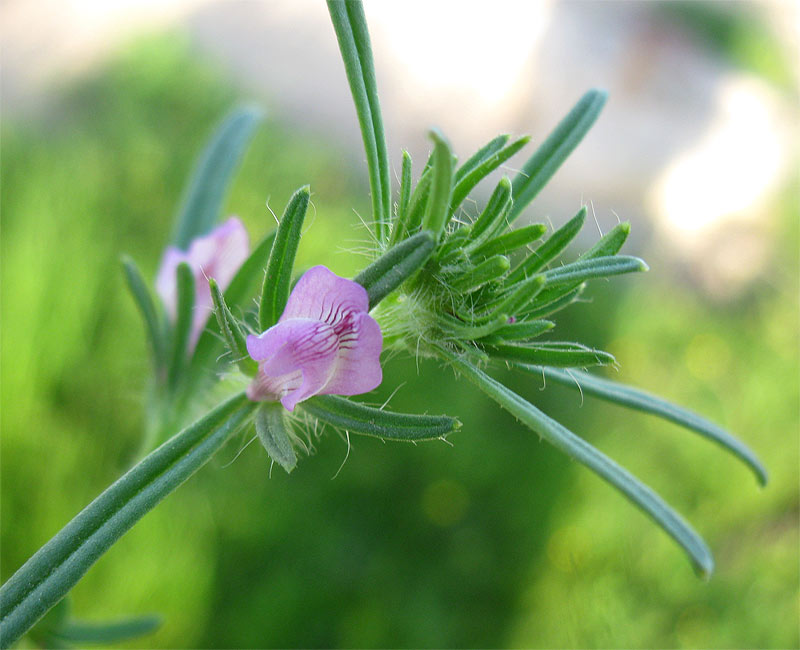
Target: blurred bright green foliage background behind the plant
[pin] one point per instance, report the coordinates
(495, 541)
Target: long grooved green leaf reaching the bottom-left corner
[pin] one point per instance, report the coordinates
(55, 568)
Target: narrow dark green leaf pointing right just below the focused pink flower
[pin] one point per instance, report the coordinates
(359, 418)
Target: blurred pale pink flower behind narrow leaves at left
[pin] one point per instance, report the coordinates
(218, 255)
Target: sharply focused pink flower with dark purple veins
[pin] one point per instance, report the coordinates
(324, 343)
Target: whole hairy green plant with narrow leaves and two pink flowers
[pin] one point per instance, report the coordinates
(473, 294)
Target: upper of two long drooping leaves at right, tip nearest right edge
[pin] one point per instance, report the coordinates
(640, 400)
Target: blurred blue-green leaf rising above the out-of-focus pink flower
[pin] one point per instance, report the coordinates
(208, 185)
